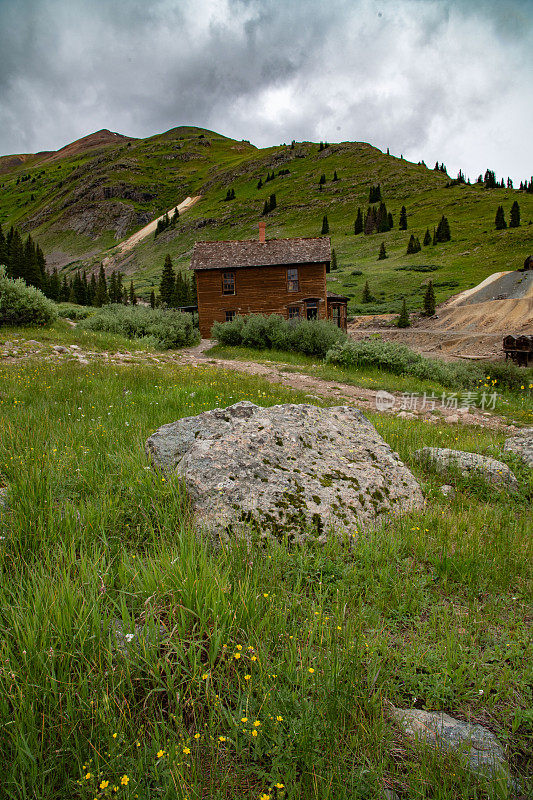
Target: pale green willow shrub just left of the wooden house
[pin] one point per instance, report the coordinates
(166, 329)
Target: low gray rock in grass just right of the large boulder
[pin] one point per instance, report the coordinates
(494, 472)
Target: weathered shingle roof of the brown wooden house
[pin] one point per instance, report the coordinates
(253, 253)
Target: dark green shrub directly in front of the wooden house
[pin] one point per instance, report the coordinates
(312, 337)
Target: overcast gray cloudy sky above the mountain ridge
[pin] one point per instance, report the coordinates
(432, 79)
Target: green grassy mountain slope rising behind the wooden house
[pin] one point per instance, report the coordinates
(82, 200)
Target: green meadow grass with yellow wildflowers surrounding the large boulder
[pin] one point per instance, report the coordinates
(429, 610)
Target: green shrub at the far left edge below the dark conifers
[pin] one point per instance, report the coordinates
(23, 305)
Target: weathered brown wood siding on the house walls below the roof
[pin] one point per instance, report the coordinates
(258, 290)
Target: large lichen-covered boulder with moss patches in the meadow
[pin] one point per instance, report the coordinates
(288, 470)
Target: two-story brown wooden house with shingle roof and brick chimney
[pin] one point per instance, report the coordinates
(265, 276)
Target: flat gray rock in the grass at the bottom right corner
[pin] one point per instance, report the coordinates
(480, 748)
